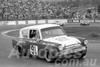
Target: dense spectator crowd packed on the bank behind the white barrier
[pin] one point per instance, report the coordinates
(34, 9)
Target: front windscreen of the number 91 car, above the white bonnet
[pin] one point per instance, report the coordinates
(52, 32)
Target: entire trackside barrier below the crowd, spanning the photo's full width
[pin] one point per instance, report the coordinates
(30, 22)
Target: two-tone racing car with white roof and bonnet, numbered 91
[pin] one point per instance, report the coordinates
(49, 41)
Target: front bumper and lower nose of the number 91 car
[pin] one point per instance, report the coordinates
(73, 53)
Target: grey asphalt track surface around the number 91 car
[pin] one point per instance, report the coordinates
(93, 53)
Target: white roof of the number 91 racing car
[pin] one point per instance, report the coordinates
(38, 27)
